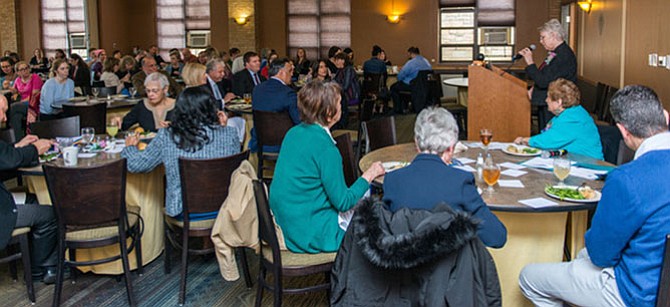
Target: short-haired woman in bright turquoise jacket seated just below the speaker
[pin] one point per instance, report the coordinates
(572, 129)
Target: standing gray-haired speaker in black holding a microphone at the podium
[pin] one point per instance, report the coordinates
(559, 63)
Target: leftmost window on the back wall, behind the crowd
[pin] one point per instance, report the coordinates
(64, 27)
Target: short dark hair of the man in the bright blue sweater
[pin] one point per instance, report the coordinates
(638, 108)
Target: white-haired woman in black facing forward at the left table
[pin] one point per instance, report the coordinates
(153, 112)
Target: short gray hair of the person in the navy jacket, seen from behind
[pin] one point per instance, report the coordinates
(435, 130)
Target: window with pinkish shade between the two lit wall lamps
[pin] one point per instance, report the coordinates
(316, 25)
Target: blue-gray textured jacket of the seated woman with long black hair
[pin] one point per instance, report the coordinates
(163, 149)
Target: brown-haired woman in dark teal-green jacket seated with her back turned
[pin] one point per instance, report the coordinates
(308, 189)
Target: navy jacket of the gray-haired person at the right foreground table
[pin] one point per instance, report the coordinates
(428, 181)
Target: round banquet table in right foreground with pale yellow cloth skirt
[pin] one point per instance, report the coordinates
(533, 235)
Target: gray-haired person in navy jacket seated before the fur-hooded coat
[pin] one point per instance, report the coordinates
(431, 178)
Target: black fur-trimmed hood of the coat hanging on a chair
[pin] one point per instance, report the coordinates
(409, 238)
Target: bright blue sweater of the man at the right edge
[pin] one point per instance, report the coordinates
(629, 227)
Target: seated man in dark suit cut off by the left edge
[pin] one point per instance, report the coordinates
(40, 219)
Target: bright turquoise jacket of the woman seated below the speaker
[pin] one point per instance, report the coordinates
(572, 130)
